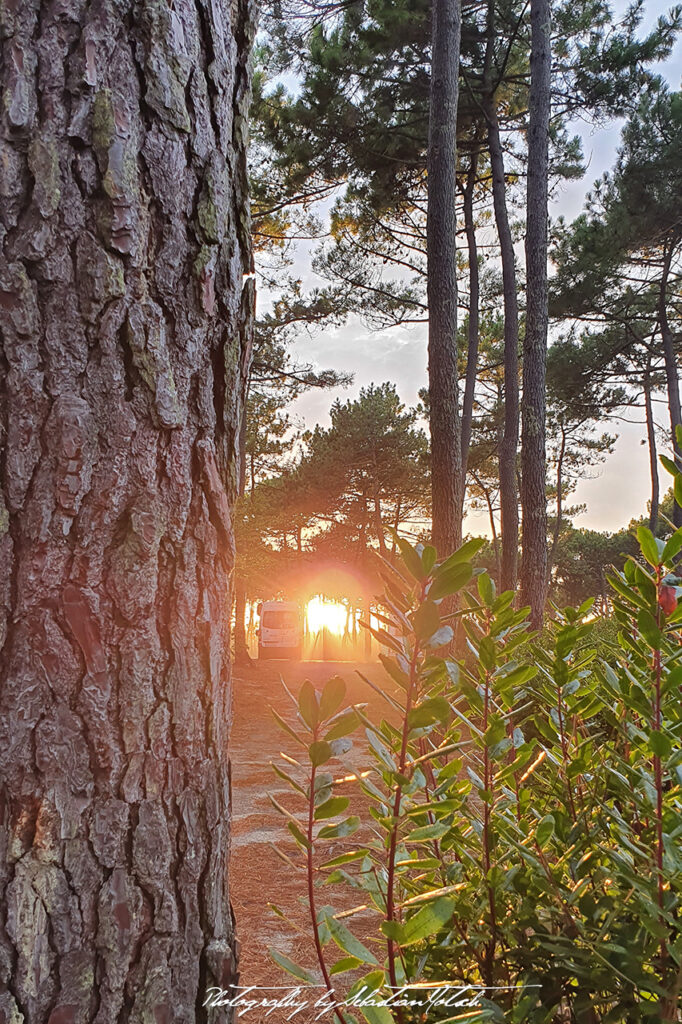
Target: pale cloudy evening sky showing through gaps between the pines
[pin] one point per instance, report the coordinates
(617, 491)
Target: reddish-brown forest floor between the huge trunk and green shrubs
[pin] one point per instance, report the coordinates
(259, 877)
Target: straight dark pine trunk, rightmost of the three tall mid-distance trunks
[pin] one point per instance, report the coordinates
(534, 499)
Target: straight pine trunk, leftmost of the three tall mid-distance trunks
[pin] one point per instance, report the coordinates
(448, 495)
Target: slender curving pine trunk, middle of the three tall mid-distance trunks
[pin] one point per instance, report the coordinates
(509, 443)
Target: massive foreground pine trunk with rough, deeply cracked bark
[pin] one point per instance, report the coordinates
(124, 326)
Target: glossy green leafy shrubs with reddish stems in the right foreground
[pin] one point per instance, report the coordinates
(526, 801)
